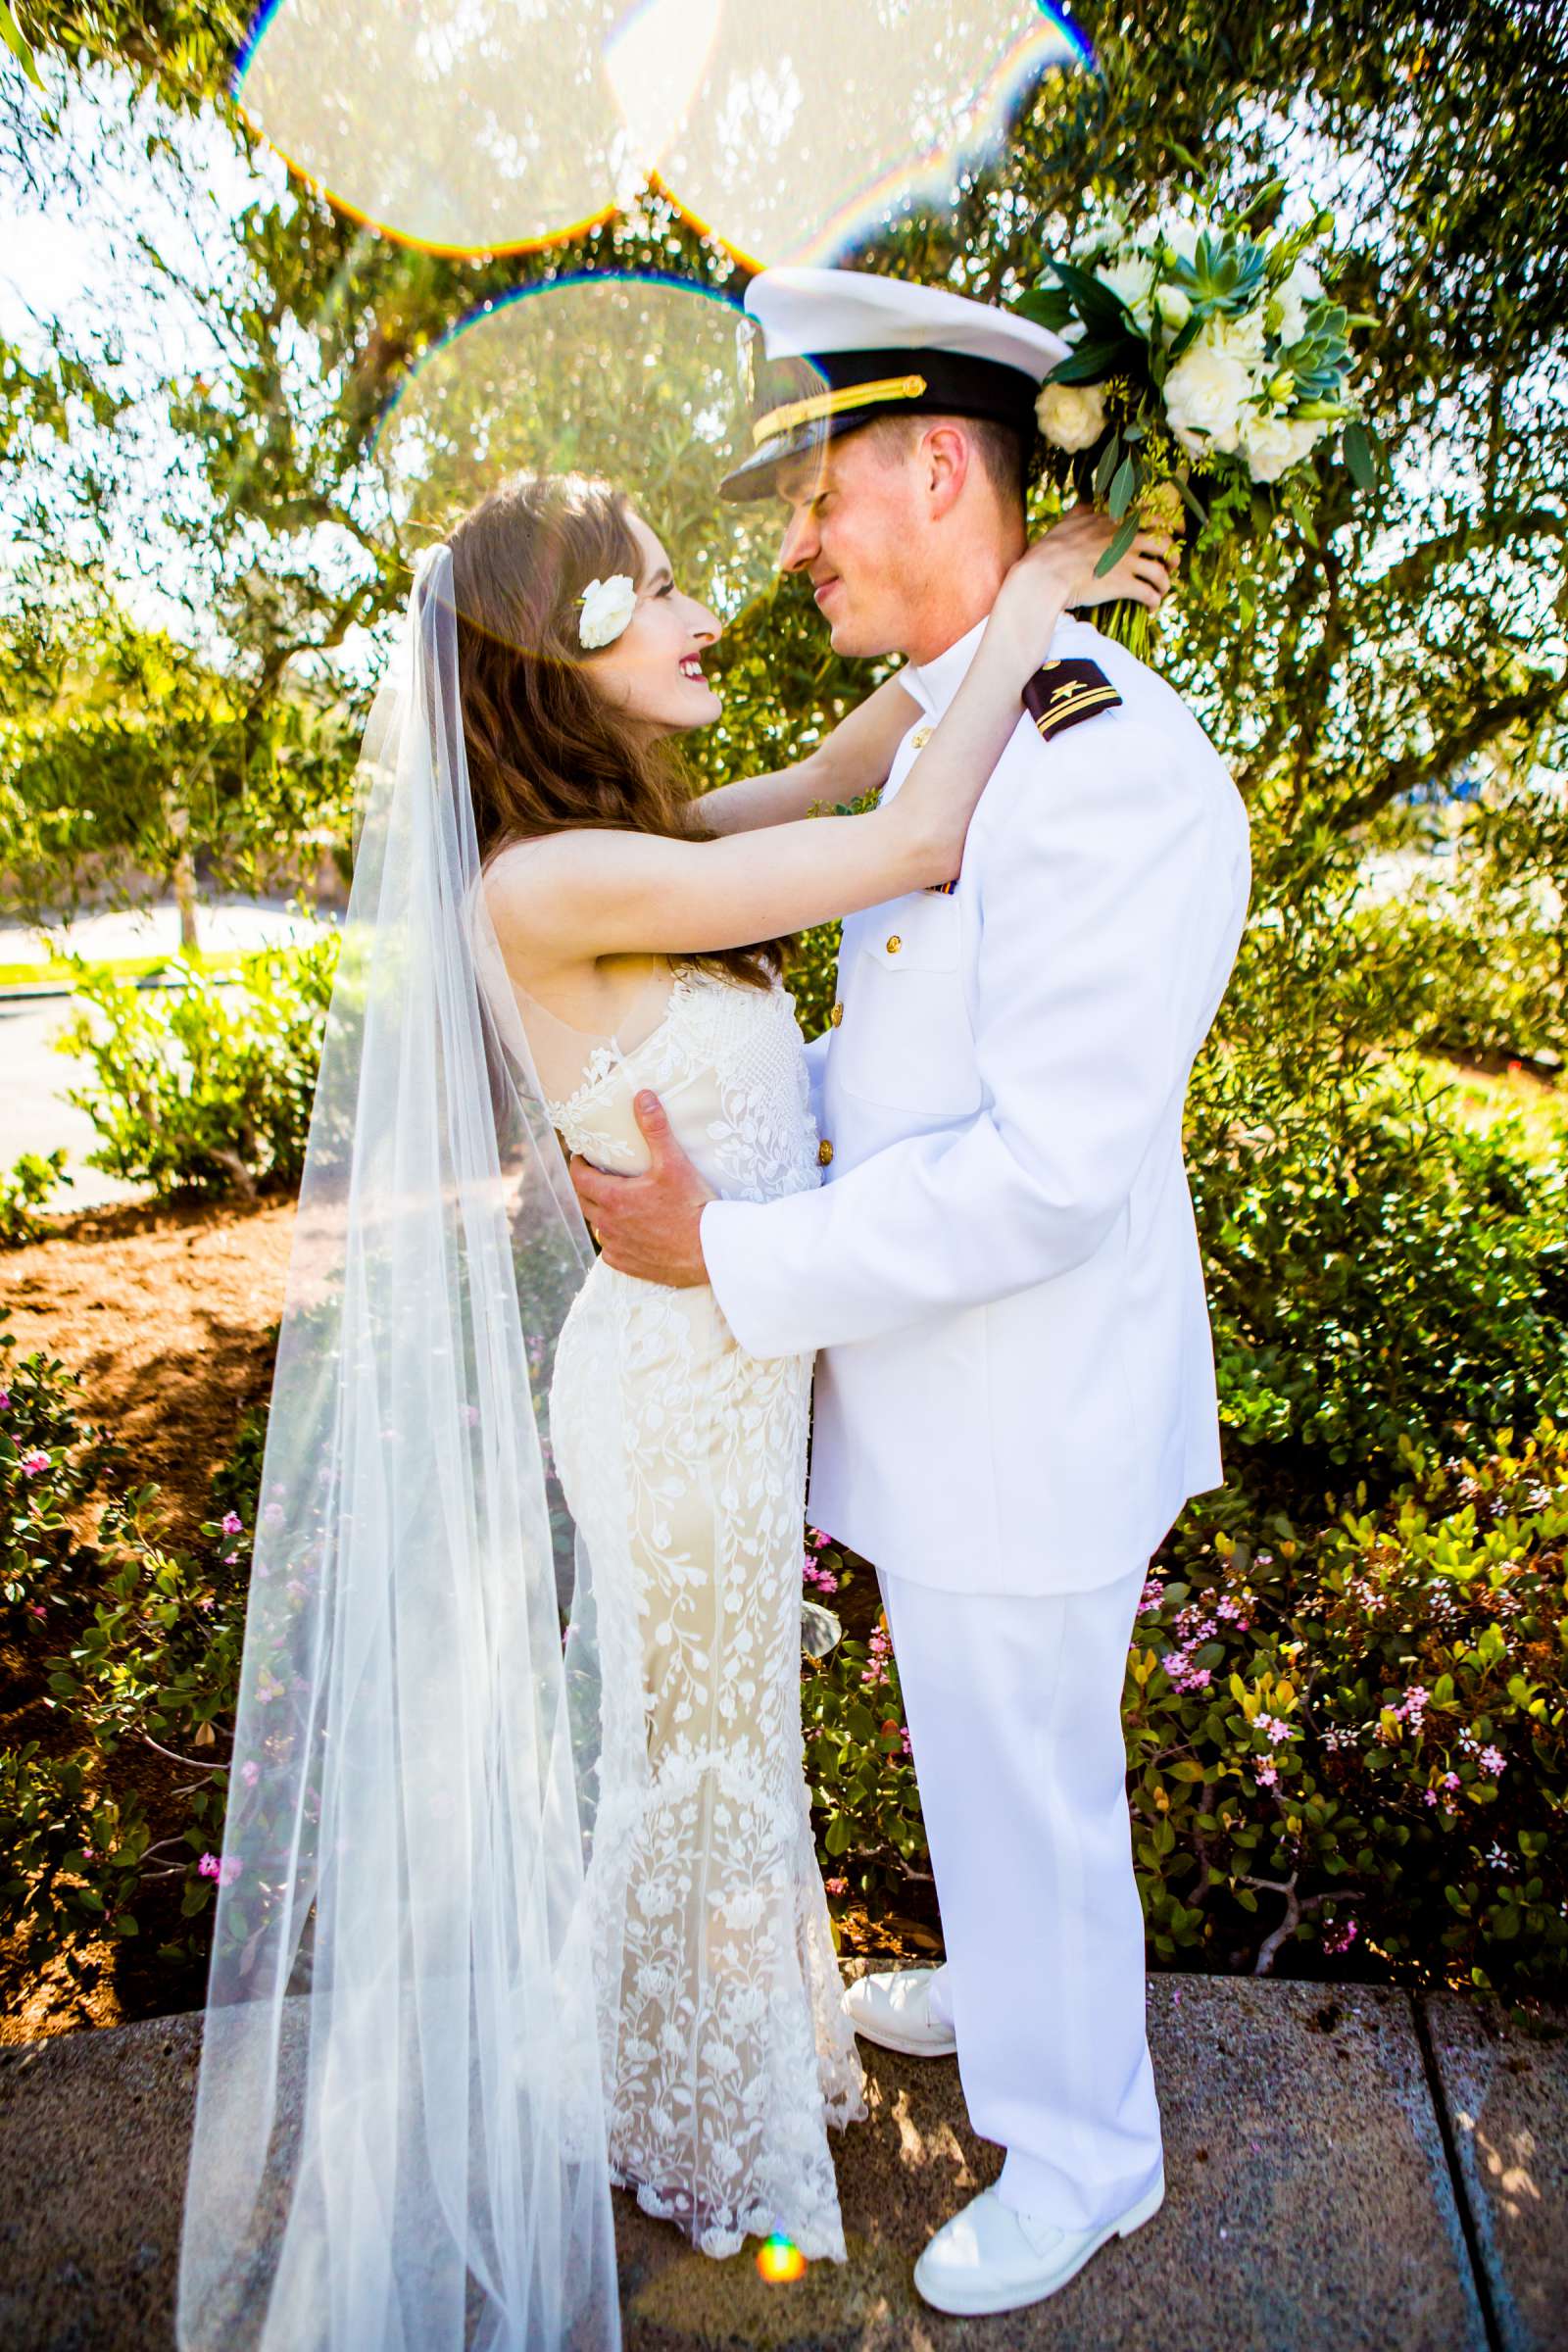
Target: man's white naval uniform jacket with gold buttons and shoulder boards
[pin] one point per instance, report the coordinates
(1000, 1269)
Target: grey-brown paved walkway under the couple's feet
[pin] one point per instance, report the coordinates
(1346, 2172)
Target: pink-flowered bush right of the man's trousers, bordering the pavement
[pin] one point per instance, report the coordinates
(1360, 1737)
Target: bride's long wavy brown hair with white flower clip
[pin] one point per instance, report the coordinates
(547, 751)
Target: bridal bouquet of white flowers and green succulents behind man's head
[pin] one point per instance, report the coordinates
(1209, 366)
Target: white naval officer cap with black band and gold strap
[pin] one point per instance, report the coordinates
(826, 352)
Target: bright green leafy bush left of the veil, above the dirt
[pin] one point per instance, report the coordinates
(206, 1088)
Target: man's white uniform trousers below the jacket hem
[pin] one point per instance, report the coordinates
(1014, 1711)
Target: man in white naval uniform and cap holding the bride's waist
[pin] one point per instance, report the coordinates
(1000, 1269)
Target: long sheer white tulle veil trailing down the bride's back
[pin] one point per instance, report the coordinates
(398, 2130)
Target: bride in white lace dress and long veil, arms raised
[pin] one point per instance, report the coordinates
(500, 1925)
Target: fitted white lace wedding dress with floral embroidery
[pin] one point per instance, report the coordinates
(685, 1462)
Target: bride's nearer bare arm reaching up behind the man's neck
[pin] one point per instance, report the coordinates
(615, 893)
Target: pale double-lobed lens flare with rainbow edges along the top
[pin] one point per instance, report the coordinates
(490, 126)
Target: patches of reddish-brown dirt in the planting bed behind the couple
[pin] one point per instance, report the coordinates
(170, 1318)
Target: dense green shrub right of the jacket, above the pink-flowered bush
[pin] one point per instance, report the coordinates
(1376, 1274)
